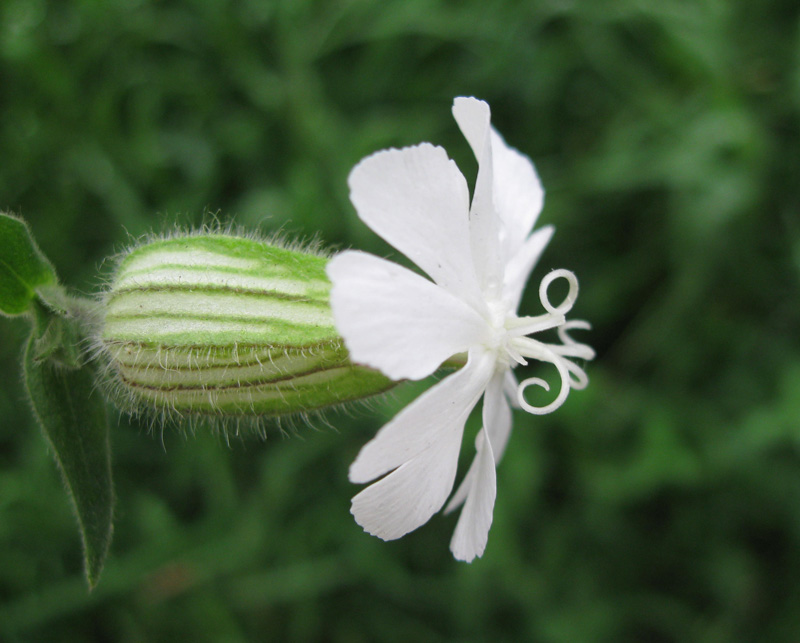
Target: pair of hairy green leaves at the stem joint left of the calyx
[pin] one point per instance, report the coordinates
(60, 388)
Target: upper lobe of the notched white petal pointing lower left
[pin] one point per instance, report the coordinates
(410, 433)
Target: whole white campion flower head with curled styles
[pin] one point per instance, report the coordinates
(479, 256)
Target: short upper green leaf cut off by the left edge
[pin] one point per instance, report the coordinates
(23, 267)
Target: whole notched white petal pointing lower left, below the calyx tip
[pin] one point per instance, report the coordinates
(433, 426)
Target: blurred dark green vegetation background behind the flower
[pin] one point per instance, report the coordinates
(661, 504)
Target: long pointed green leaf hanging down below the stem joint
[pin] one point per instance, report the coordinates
(73, 418)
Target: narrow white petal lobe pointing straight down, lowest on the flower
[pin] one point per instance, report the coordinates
(472, 529)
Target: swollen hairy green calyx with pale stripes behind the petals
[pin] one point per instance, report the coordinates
(219, 324)
